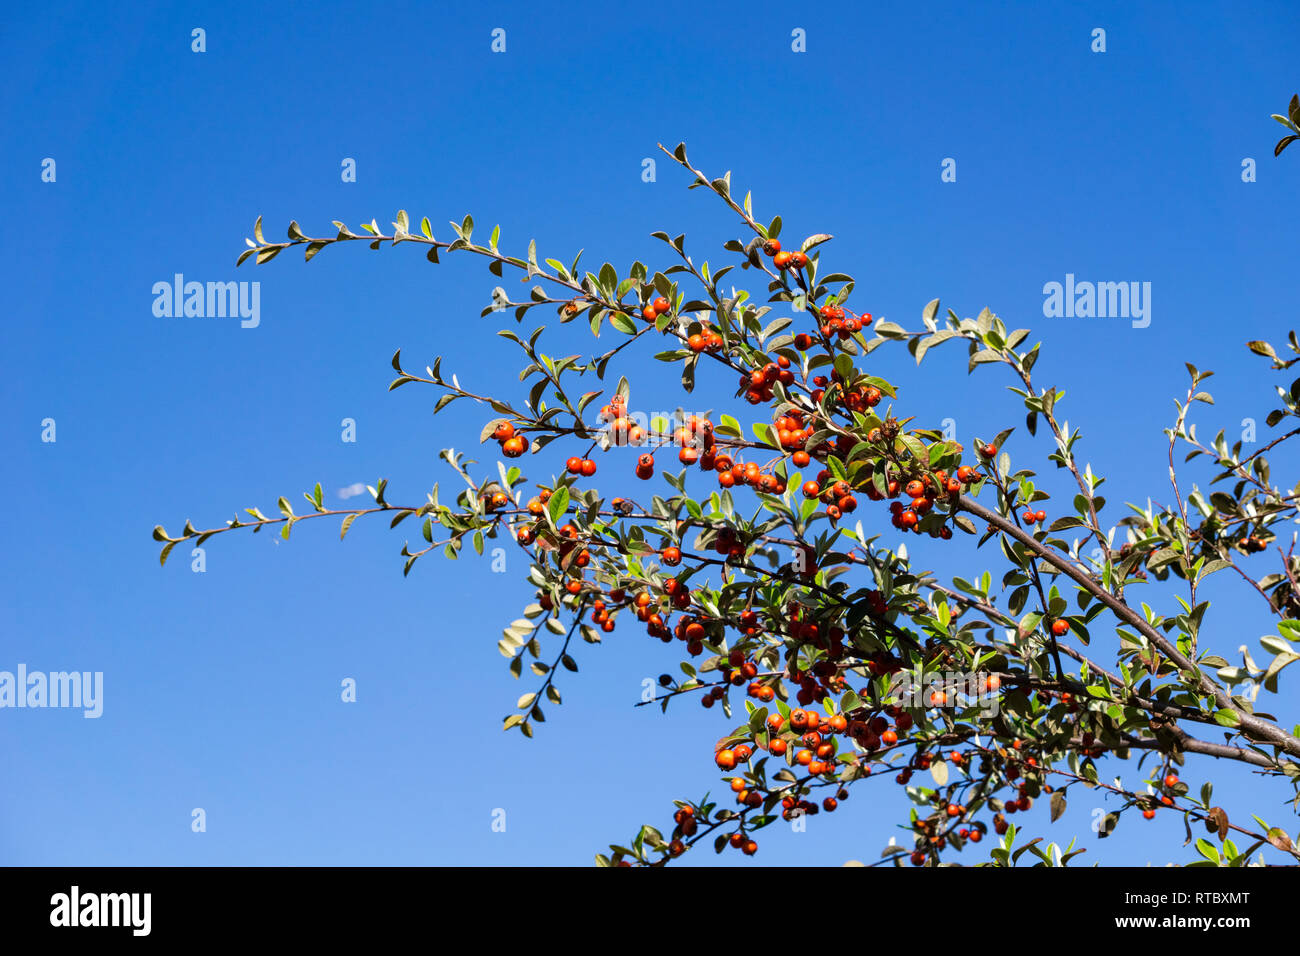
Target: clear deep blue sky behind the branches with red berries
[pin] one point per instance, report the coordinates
(223, 689)
